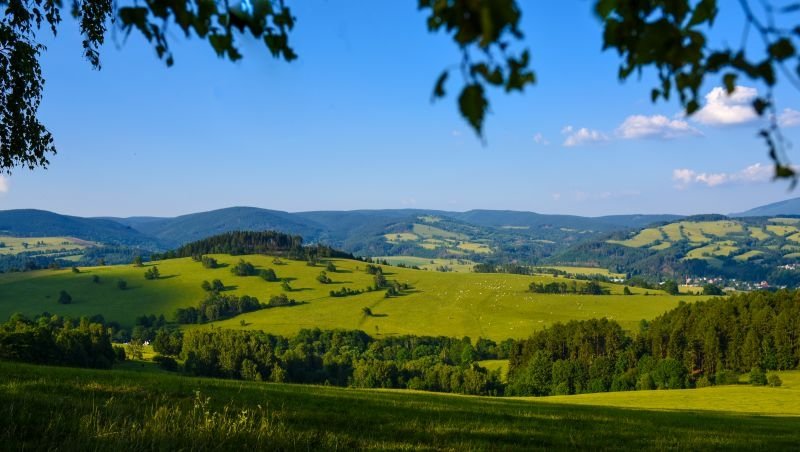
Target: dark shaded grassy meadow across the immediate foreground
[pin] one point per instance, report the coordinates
(126, 410)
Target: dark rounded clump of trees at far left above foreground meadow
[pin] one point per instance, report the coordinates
(54, 340)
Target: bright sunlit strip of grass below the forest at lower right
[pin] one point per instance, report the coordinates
(743, 398)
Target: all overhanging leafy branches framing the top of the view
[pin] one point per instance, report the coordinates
(669, 37)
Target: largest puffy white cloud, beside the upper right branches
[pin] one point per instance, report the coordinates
(724, 110)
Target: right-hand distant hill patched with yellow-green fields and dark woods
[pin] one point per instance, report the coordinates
(746, 249)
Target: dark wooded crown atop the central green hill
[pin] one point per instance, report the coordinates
(252, 242)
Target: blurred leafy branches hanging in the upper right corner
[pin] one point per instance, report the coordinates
(670, 37)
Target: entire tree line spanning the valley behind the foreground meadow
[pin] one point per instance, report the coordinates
(694, 345)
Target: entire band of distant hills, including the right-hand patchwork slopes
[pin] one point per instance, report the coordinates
(497, 236)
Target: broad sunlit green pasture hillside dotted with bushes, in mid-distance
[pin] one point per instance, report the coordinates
(496, 306)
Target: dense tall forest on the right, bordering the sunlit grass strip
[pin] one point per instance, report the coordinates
(697, 344)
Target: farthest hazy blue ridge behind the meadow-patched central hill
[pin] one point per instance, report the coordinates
(340, 228)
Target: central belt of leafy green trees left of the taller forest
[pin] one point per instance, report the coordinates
(344, 358)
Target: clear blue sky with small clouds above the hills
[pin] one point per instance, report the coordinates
(350, 125)
